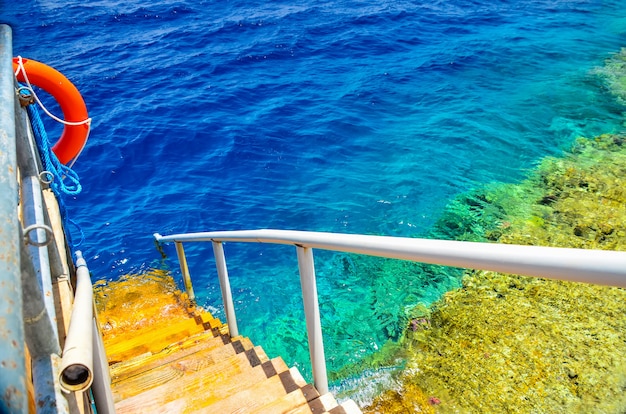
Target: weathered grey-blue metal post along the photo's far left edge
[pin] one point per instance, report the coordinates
(13, 397)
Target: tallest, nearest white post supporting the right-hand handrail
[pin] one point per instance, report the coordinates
(313, 321)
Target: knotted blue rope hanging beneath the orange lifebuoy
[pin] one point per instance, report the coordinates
(64, 180)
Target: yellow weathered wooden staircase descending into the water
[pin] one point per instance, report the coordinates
(192, 365)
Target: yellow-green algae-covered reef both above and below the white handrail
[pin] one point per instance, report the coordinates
(508, 343)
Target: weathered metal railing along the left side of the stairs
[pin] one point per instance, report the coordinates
(30, 262)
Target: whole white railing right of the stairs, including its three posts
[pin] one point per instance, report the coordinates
(576, 265)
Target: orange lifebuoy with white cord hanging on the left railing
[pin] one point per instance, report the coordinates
(74, 135)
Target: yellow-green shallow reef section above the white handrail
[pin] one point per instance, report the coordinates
(582, 204)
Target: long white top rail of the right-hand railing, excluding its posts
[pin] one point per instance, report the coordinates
(602, 267)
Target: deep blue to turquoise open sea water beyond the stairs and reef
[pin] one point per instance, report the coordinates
(344, 116)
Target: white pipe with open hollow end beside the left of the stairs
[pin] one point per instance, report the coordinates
(77, 365)
